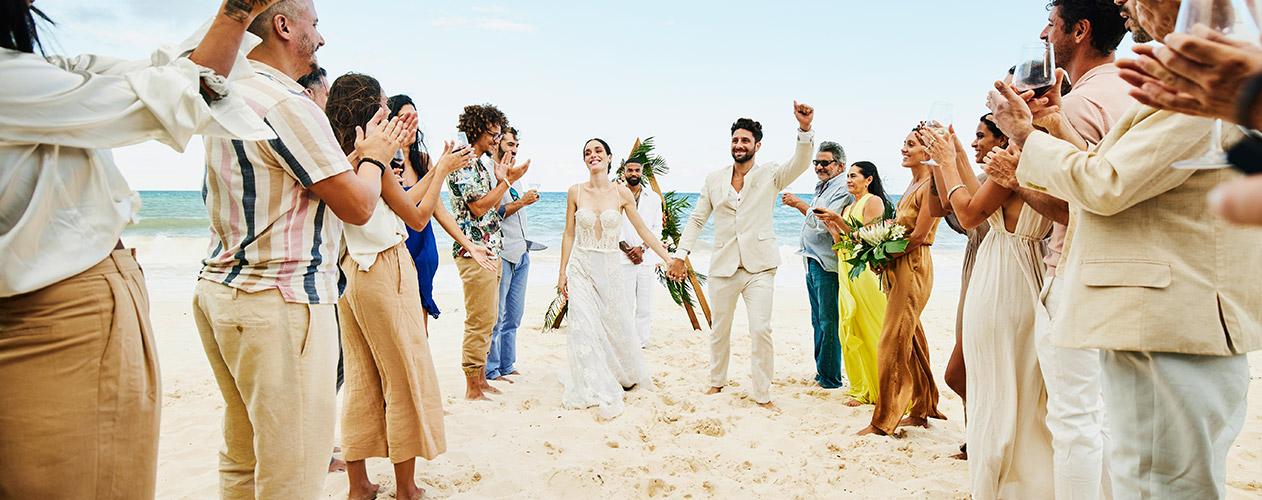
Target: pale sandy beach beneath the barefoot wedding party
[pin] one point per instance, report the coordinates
(672, 441)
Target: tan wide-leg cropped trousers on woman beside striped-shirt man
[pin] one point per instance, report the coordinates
(392, 406)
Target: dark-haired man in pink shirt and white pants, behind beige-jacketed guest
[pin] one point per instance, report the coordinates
(1085, 36)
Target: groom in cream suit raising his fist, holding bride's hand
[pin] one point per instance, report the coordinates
(743, 198)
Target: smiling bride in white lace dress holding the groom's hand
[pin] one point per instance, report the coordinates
(605, 358)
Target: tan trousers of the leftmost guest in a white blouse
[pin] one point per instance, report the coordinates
(80, 388)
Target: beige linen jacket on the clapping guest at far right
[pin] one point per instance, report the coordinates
(1148, 267)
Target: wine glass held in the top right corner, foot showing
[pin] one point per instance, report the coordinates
(1236, 20)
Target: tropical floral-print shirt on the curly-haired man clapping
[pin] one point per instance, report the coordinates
(468, 186)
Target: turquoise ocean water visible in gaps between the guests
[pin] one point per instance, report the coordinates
(182, 214)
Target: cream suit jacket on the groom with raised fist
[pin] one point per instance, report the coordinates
(744, 234)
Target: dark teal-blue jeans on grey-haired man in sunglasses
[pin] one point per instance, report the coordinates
(822, 287)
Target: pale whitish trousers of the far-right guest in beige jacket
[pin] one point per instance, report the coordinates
(1173, 420)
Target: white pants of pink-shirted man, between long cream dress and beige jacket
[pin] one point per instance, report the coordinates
(1076, 408)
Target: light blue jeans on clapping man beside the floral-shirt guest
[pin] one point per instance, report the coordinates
(513, 304)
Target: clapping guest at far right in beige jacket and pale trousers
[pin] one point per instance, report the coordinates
(1167, 291)
